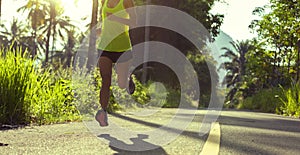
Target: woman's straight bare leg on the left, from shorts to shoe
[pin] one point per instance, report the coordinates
(105, 65)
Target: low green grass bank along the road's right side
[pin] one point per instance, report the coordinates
(283, 101)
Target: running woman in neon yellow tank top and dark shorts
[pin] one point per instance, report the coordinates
(116, 18)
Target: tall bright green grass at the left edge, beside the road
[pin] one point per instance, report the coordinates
(32, 94)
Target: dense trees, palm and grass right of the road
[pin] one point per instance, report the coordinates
(263, 73)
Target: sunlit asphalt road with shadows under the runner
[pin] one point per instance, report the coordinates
(236, 132)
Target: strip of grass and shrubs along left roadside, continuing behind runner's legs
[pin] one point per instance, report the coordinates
(32, 93)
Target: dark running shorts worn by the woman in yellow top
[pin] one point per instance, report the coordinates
(116, 56)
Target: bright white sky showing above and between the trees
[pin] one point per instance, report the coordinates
(238, 13)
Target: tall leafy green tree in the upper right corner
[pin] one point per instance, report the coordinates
(278, 33)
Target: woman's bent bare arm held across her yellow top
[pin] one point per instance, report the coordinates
(129, 6)
